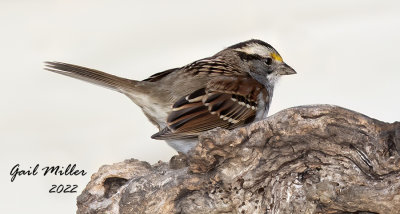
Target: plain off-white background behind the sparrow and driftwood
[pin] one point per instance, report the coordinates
(345, 53)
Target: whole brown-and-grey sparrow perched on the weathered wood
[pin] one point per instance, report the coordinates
(230, 89)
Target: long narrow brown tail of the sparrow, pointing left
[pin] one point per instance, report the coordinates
(91, 75)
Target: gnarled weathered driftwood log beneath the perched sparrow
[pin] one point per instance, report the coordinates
(308, 159)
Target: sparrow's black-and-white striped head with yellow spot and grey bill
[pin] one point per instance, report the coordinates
(261, 60)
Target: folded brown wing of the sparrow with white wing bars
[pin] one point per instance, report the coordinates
(225, 102)
